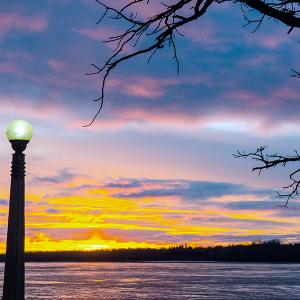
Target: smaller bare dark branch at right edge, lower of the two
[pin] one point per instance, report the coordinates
(268, 161)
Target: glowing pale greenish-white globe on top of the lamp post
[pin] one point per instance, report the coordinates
(19, 130)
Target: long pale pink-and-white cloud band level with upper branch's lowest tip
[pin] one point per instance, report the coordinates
(147, 120)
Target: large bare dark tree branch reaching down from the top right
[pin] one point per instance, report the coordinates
(161, 29)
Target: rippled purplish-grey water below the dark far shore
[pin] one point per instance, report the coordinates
(161, 280)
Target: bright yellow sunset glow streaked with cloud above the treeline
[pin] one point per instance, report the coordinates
(93, 219)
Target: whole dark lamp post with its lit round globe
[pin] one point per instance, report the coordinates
(19, 133)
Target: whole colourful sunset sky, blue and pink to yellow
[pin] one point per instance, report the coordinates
(156, 168)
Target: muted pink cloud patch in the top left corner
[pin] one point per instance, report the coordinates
(17, 21)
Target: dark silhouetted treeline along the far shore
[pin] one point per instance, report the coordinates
(271, 251)
